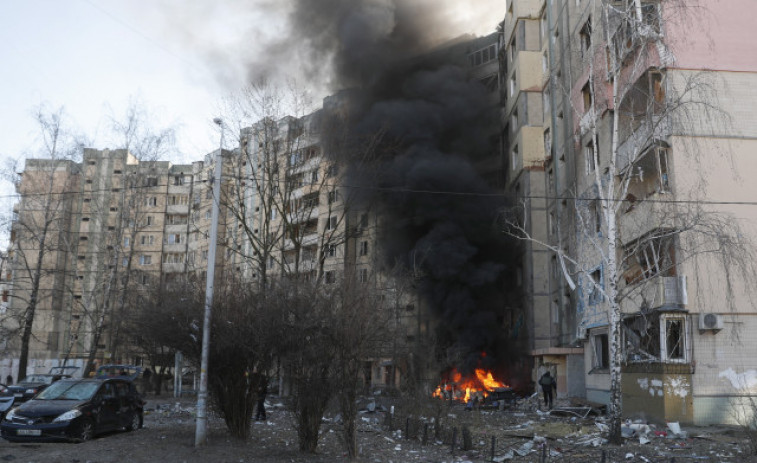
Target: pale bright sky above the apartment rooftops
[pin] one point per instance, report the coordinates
(179, 57)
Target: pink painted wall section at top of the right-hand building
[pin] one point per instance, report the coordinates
(715, 34)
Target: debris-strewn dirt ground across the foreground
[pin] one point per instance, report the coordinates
(521, 435)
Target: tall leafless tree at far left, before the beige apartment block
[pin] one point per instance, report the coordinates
(40, 228)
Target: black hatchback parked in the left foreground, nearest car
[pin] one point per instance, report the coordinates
(75, 410)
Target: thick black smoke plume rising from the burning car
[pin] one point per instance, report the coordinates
(437, 123)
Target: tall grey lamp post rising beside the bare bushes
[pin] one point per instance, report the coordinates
(202, 395)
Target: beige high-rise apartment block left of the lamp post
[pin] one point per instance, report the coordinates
(96, 238)
